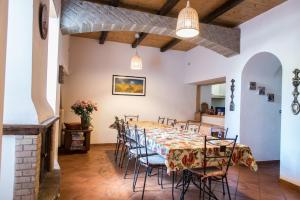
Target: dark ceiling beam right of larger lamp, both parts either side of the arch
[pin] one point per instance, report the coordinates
(228, 5)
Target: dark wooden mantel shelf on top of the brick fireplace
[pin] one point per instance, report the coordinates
(28, 129)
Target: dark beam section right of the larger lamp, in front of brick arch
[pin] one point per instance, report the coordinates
(228, 5)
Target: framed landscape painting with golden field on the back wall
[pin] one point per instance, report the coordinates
(129, 85)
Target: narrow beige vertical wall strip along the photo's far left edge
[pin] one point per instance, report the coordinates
(3, 34)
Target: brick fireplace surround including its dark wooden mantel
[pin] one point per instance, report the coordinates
(28, 153)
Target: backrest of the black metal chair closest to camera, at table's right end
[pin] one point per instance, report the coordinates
(219, 150)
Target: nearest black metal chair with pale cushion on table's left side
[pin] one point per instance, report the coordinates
(148, 161)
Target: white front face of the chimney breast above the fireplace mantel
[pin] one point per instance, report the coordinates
(18, 105)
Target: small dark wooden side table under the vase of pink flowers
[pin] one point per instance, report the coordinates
(77, 140)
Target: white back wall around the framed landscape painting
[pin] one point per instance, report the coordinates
(91, 69)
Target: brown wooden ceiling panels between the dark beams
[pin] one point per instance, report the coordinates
(238, 13)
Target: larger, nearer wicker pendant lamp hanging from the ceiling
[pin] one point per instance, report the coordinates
(187, 22)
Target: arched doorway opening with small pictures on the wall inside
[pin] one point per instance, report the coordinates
(260, 116)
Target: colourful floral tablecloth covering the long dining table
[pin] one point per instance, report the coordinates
(184, 150)
